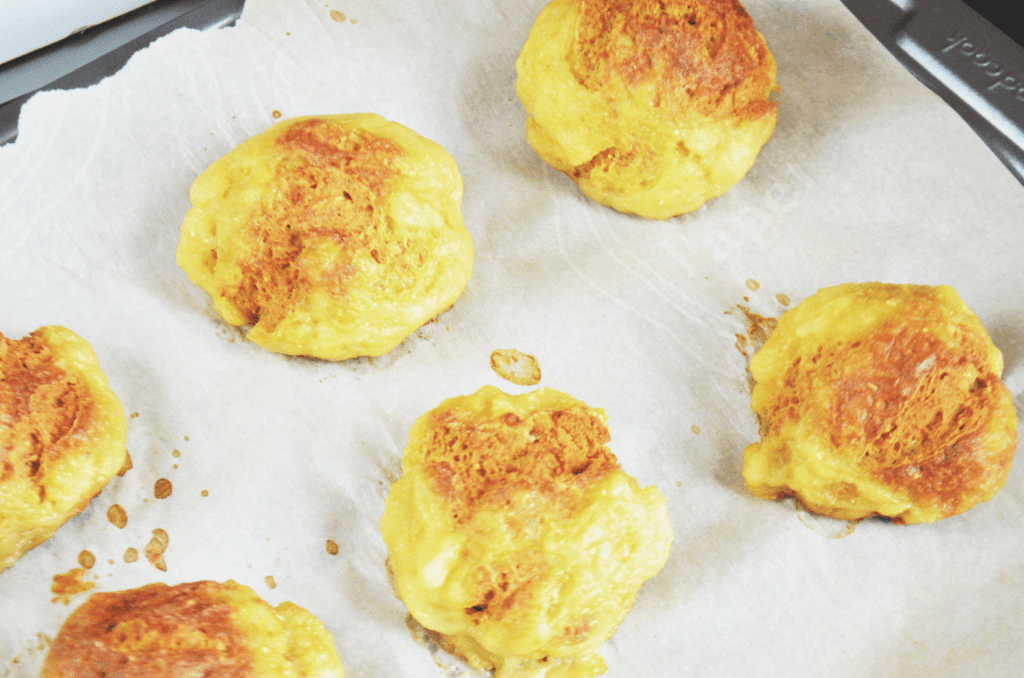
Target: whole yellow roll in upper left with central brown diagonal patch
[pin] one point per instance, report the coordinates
(333, 237)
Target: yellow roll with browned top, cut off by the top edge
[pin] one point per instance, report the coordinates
(653, 107)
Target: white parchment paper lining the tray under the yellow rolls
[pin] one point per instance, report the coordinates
(869, 177)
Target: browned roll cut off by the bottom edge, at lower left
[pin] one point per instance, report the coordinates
(198, 629)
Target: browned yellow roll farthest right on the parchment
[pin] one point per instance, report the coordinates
(881, 400)
